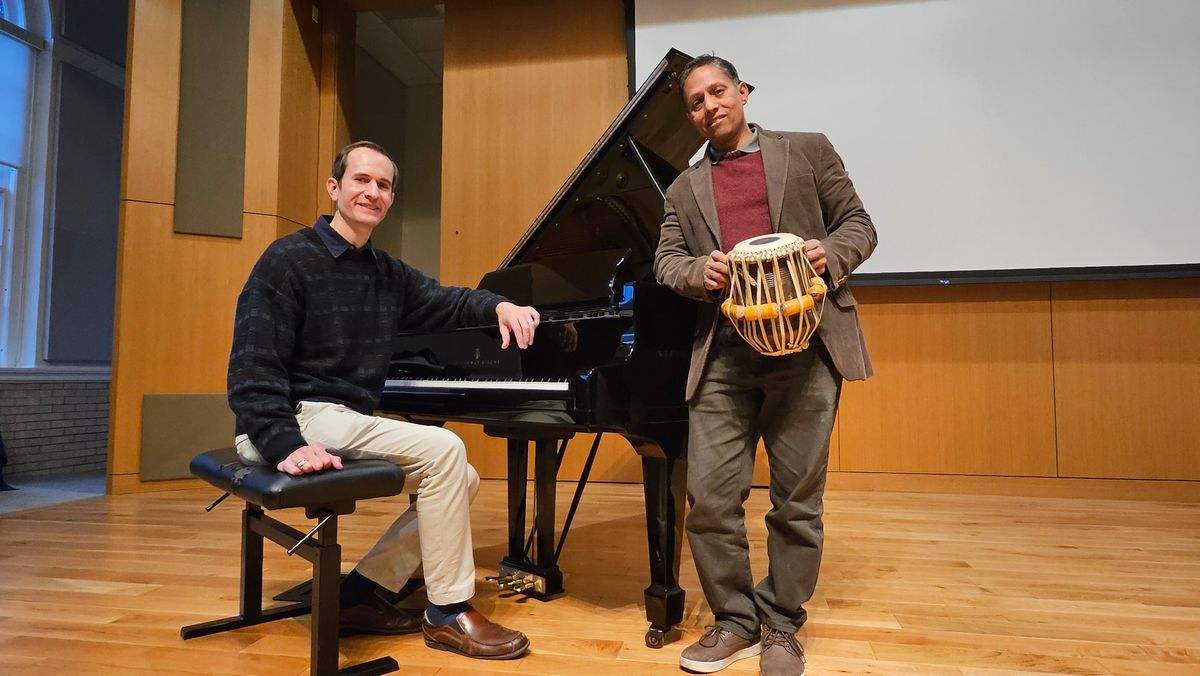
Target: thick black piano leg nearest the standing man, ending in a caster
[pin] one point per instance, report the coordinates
(665, 484)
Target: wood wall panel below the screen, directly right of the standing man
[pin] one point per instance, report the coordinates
(964, 382)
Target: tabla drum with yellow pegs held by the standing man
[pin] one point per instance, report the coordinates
(776, 297)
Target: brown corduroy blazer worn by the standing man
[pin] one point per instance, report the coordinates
(809, 195)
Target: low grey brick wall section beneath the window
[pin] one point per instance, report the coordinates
(55, 428)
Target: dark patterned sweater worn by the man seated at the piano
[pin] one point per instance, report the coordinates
(316, 322)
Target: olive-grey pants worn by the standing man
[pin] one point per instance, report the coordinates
(790, 404)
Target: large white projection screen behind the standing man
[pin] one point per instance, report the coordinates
(1011, 137)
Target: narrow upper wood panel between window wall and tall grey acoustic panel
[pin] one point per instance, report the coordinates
(152, 101)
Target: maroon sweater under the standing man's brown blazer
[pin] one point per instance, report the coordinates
(740, 188)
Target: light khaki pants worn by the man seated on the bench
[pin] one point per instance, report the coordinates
(435, 531)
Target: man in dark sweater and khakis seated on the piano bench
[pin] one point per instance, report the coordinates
(313, 342)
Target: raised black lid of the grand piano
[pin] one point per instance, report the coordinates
(614, 201)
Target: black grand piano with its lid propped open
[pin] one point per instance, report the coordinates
(610, 357)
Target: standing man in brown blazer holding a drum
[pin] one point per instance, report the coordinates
(753, 182)
